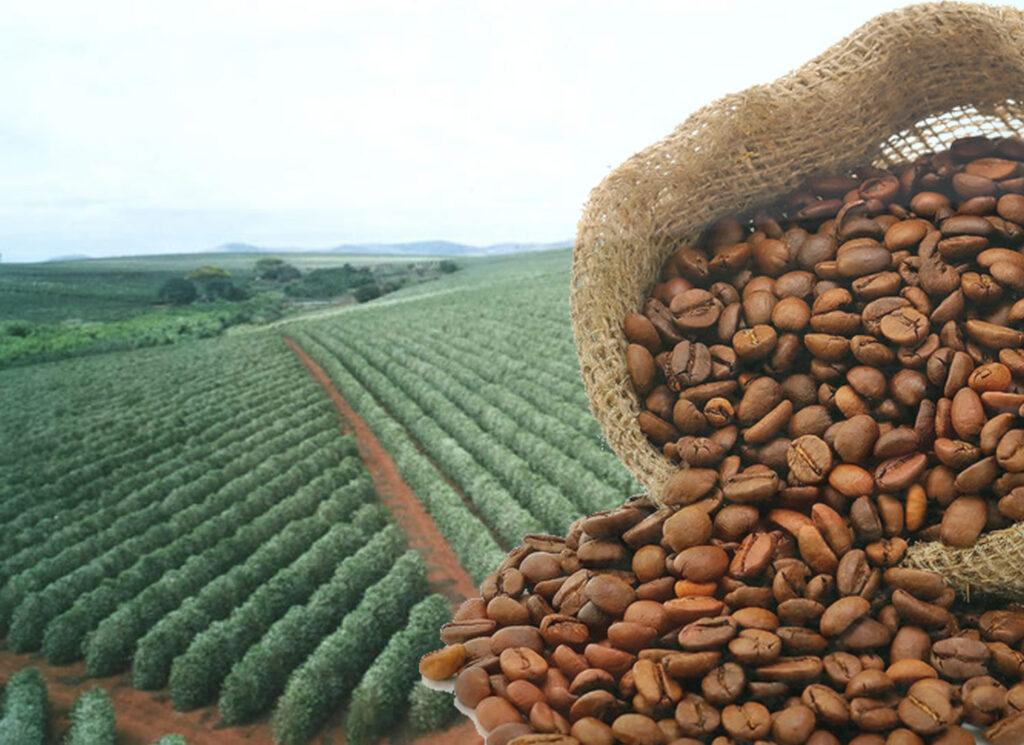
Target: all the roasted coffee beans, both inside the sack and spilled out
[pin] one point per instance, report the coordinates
(837, 377)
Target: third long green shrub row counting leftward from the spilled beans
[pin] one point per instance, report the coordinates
(258, 680)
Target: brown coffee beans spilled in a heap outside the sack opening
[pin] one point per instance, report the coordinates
(680, 626)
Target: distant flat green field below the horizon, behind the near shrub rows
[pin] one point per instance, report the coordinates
(56, 311)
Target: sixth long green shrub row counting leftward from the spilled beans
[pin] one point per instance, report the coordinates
(109, 648)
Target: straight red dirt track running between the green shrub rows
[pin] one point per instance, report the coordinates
(444, 572)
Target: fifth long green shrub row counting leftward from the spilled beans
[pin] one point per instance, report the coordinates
(172, 636)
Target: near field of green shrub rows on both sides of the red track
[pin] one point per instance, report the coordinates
(194, 513)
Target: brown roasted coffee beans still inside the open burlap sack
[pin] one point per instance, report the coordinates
(861, 346)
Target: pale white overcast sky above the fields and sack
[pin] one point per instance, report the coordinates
(141, 127)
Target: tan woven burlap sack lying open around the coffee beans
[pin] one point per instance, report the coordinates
(907, 82)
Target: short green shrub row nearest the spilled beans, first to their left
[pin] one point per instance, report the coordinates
(387, 686)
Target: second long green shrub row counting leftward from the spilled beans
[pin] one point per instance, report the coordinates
(318, 688)
